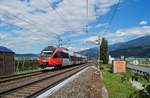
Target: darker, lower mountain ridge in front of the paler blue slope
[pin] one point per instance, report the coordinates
(141, 51)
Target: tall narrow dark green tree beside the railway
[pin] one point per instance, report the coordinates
(104, 56)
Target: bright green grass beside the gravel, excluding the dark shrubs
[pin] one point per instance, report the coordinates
(116, 88)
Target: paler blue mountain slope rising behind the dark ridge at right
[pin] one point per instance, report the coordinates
(142, 41)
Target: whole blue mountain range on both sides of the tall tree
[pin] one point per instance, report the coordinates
(138, 47)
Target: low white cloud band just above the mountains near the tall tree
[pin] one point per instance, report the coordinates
(122, 35)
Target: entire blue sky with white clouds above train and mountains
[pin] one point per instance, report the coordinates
(27, 26)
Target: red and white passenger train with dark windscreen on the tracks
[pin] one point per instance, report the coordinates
(55, 57)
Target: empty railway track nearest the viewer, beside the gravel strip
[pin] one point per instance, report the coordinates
(36, 85)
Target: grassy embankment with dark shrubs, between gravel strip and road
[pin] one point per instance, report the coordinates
(118, 84)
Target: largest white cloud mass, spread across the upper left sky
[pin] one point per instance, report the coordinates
(40, 22)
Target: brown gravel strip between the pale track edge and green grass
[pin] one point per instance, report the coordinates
(85, 85)
